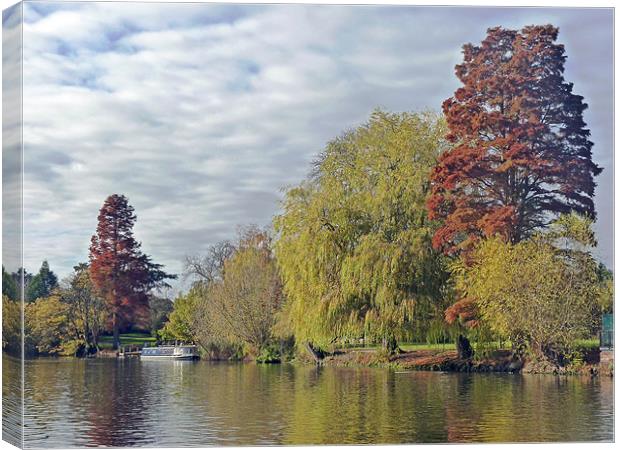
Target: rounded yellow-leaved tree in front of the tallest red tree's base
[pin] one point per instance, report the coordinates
(543, 291)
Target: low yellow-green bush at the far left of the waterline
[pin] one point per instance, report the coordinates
(46, 322)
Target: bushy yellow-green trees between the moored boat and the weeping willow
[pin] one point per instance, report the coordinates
(234, 301)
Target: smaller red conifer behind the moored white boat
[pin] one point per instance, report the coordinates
(121, 273)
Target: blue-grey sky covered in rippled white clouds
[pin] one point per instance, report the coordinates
(200, 114)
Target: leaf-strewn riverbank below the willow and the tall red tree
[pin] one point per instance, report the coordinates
(448, 361)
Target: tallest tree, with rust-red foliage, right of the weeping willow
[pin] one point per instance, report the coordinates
(521, 154)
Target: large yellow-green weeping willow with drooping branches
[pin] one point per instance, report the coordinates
(354, 242)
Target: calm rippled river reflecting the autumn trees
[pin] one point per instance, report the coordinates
(107, 402)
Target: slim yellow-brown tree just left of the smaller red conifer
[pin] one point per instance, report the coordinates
(87, 311)
